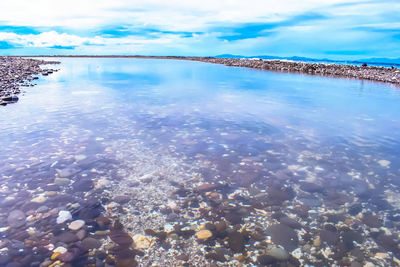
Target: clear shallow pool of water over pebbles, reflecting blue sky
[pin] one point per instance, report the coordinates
(118, 162)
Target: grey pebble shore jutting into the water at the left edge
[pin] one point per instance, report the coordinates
(16, 72)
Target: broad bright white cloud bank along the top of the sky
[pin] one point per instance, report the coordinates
(172, 15)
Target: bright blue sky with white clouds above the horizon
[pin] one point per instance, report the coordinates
(335, 29)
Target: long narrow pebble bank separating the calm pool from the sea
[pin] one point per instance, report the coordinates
(371, 73)
